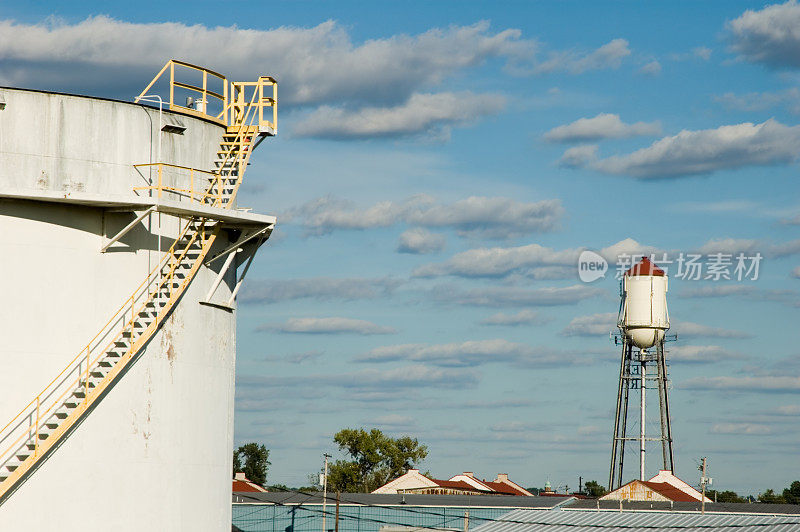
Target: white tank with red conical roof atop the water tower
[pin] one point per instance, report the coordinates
(643, 317)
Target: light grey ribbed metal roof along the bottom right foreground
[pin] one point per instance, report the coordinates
(565, 520)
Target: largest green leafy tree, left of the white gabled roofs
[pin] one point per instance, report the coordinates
(375, 459)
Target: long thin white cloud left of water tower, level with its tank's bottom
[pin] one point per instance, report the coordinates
(470, 354)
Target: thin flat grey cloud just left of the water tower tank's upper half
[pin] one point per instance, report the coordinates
(504, 296)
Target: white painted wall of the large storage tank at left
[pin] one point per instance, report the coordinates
(155, 454)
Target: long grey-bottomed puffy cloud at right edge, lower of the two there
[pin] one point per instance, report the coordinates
(699, 152)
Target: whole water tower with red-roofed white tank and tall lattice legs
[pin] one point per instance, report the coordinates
(643, 322)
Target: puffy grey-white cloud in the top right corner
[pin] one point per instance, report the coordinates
(769, 36)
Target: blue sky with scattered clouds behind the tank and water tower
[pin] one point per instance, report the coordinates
(439, 167)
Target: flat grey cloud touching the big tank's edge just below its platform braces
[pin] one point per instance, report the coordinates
(319, 288)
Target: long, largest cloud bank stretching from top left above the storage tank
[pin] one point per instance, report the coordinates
(315, 65)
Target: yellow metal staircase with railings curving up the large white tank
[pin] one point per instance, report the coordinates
(49, 416)
